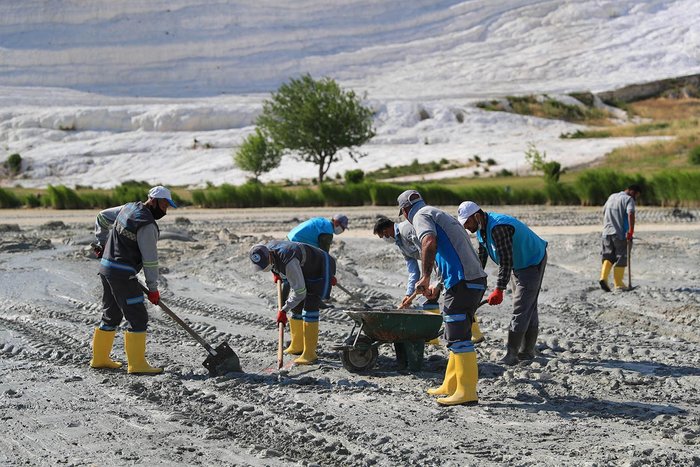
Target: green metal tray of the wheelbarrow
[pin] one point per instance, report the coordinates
(397, 325)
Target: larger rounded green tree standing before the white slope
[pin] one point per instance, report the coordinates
(315, 119)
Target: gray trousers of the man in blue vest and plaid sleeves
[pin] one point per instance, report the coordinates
(527, 283)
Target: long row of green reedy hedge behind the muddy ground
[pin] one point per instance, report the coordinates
(591, 188)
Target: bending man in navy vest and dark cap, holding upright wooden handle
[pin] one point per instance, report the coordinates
(310, 272)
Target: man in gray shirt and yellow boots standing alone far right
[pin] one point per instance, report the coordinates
(618, 230)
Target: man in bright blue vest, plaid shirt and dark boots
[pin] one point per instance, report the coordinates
(516, 250)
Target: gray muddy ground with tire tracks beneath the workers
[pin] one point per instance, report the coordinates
(617, 381)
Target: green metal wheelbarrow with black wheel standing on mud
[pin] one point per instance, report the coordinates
(409, 329)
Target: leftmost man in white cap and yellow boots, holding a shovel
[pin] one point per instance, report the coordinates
(126, 242)
